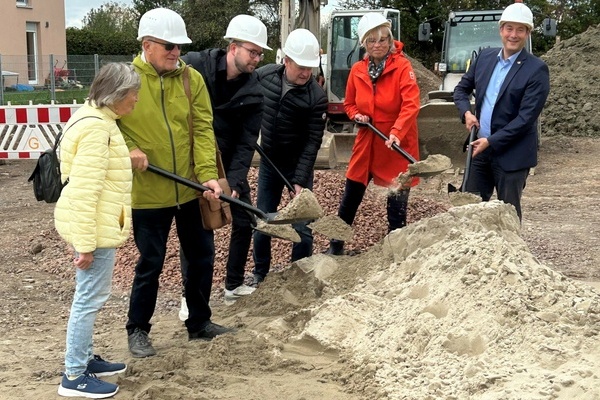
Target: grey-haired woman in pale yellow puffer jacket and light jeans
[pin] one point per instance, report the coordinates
(93, 214)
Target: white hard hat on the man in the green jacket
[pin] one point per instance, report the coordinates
(164, 24)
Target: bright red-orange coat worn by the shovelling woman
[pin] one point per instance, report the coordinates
(393, 105)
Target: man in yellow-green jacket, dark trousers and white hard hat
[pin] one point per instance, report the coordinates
(158, 133)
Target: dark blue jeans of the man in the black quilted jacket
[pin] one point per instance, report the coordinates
(270, 188)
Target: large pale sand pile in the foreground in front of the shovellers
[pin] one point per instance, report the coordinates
(451, 307)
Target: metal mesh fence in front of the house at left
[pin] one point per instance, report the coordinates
(49, 78)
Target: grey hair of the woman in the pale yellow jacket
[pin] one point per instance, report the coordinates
(113, 83)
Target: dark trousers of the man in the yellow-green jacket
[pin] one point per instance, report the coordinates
(151, 231)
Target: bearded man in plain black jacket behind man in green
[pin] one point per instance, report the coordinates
(237, 103)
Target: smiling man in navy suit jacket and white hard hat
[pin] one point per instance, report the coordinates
(511, 87)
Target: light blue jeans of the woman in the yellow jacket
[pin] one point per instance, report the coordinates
(92, 290)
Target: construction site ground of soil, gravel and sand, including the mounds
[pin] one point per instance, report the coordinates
(463, 303)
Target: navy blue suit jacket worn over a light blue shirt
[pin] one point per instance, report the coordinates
(513, 139)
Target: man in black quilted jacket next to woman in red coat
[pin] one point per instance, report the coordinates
(291, 134)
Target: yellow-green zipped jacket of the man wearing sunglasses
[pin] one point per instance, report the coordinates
(158, 126)
